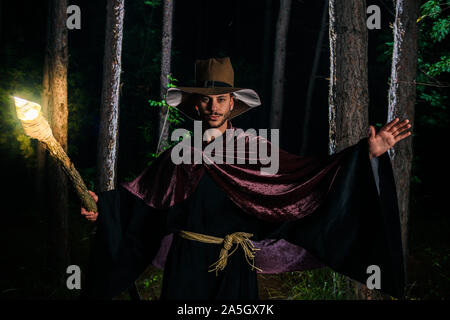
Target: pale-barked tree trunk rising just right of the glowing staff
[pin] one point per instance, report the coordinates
(108, 138)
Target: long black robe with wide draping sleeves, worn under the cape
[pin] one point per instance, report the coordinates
(355, 227)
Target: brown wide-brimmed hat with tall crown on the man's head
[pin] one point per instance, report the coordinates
(212, 76)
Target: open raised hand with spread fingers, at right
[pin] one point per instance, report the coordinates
(387, 137)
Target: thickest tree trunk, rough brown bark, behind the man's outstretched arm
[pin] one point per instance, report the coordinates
(349, 93)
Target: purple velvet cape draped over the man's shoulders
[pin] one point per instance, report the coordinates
(295, 192)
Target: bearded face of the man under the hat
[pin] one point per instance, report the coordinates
(215, 110)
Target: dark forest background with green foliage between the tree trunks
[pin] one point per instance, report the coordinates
(242, 30)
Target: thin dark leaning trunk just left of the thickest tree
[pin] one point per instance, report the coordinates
(312, 79)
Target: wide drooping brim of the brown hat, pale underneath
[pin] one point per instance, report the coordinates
(180, 97)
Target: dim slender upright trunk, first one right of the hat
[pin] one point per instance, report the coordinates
(279, 64)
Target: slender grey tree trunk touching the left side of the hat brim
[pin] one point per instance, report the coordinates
(165, 71)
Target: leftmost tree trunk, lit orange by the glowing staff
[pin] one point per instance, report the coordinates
(58, 115)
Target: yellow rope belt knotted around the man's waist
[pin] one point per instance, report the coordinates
(239, 238)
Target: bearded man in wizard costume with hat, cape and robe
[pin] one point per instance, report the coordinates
(213, 226)
